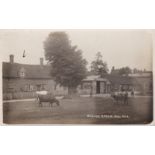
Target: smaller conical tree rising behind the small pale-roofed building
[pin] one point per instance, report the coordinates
(98, 67)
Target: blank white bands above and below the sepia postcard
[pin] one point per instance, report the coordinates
(92, 14)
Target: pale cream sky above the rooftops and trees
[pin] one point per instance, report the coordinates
(119, 48)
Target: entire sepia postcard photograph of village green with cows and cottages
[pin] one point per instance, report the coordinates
(102, 76)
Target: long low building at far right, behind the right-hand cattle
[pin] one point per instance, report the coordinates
(141, 81)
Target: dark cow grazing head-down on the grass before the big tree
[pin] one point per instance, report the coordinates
(47, 98)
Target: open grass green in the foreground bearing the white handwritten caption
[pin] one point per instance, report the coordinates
(95, 110)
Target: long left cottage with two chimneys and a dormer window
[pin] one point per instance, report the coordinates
(27, 79)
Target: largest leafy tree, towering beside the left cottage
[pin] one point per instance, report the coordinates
(68, 68)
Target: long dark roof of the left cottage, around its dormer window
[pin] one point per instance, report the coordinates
(31, 71)
